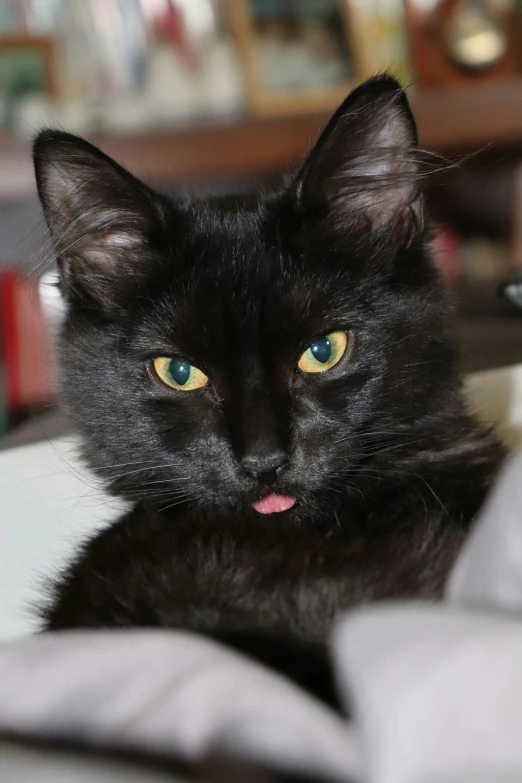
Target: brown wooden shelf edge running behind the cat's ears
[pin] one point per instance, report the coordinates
(461, 119)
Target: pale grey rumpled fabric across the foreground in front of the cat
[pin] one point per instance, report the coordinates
(435, 690)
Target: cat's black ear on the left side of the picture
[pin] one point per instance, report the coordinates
(101, 218)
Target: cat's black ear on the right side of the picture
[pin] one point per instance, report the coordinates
(366, 165)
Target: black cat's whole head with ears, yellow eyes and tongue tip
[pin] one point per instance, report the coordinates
(223, 352)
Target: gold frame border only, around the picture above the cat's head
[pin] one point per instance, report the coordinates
(261, 101)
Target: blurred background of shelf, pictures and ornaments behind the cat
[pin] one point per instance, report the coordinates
(217, 96)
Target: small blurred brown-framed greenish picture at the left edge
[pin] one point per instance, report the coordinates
(28, 66)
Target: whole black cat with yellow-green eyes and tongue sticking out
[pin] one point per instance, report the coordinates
(273, 385)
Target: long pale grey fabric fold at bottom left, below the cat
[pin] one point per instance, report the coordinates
(167, 692)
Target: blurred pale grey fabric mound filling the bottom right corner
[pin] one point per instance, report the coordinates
(436, 693)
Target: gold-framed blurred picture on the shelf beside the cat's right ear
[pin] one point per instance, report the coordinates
(296, 54)
